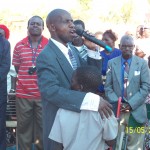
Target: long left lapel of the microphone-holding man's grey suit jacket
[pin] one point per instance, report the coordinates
(62, 60)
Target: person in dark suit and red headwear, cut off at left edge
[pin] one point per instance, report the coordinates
(4, 69)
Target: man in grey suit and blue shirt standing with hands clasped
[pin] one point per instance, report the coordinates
(128, 77)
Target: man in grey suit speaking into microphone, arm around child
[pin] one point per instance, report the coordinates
(54, 70)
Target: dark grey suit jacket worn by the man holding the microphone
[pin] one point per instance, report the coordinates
(54, 75)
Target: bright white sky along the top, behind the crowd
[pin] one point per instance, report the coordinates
(26, 7)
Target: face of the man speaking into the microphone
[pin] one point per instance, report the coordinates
(63, 29)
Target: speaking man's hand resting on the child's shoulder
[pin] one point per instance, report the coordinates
(105, 108)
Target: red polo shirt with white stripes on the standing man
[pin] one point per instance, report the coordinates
(22, 57)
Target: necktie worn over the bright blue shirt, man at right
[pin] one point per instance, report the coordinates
(126, 72)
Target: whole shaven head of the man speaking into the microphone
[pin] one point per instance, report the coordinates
(60, 25)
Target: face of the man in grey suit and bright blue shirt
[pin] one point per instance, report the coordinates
(127, 47)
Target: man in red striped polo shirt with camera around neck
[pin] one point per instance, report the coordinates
(28, 99)
